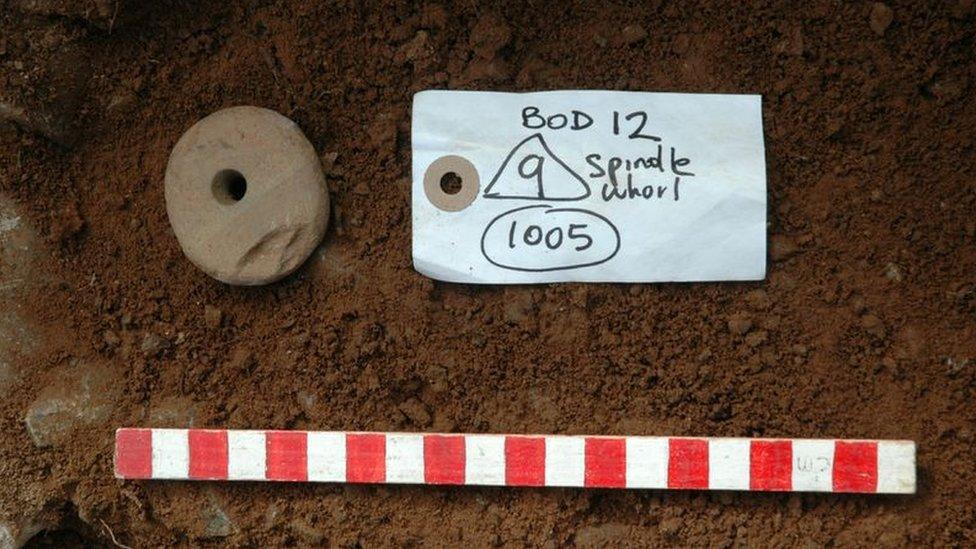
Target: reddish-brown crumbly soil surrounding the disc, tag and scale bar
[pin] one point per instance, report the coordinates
(865, 327)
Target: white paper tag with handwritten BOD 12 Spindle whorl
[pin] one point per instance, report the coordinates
(590, 186)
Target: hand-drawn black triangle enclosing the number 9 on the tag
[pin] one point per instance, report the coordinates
(533, 172)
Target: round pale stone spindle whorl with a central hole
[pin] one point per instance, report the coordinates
(246, 195)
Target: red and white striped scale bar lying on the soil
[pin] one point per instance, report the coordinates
(798, 465)
